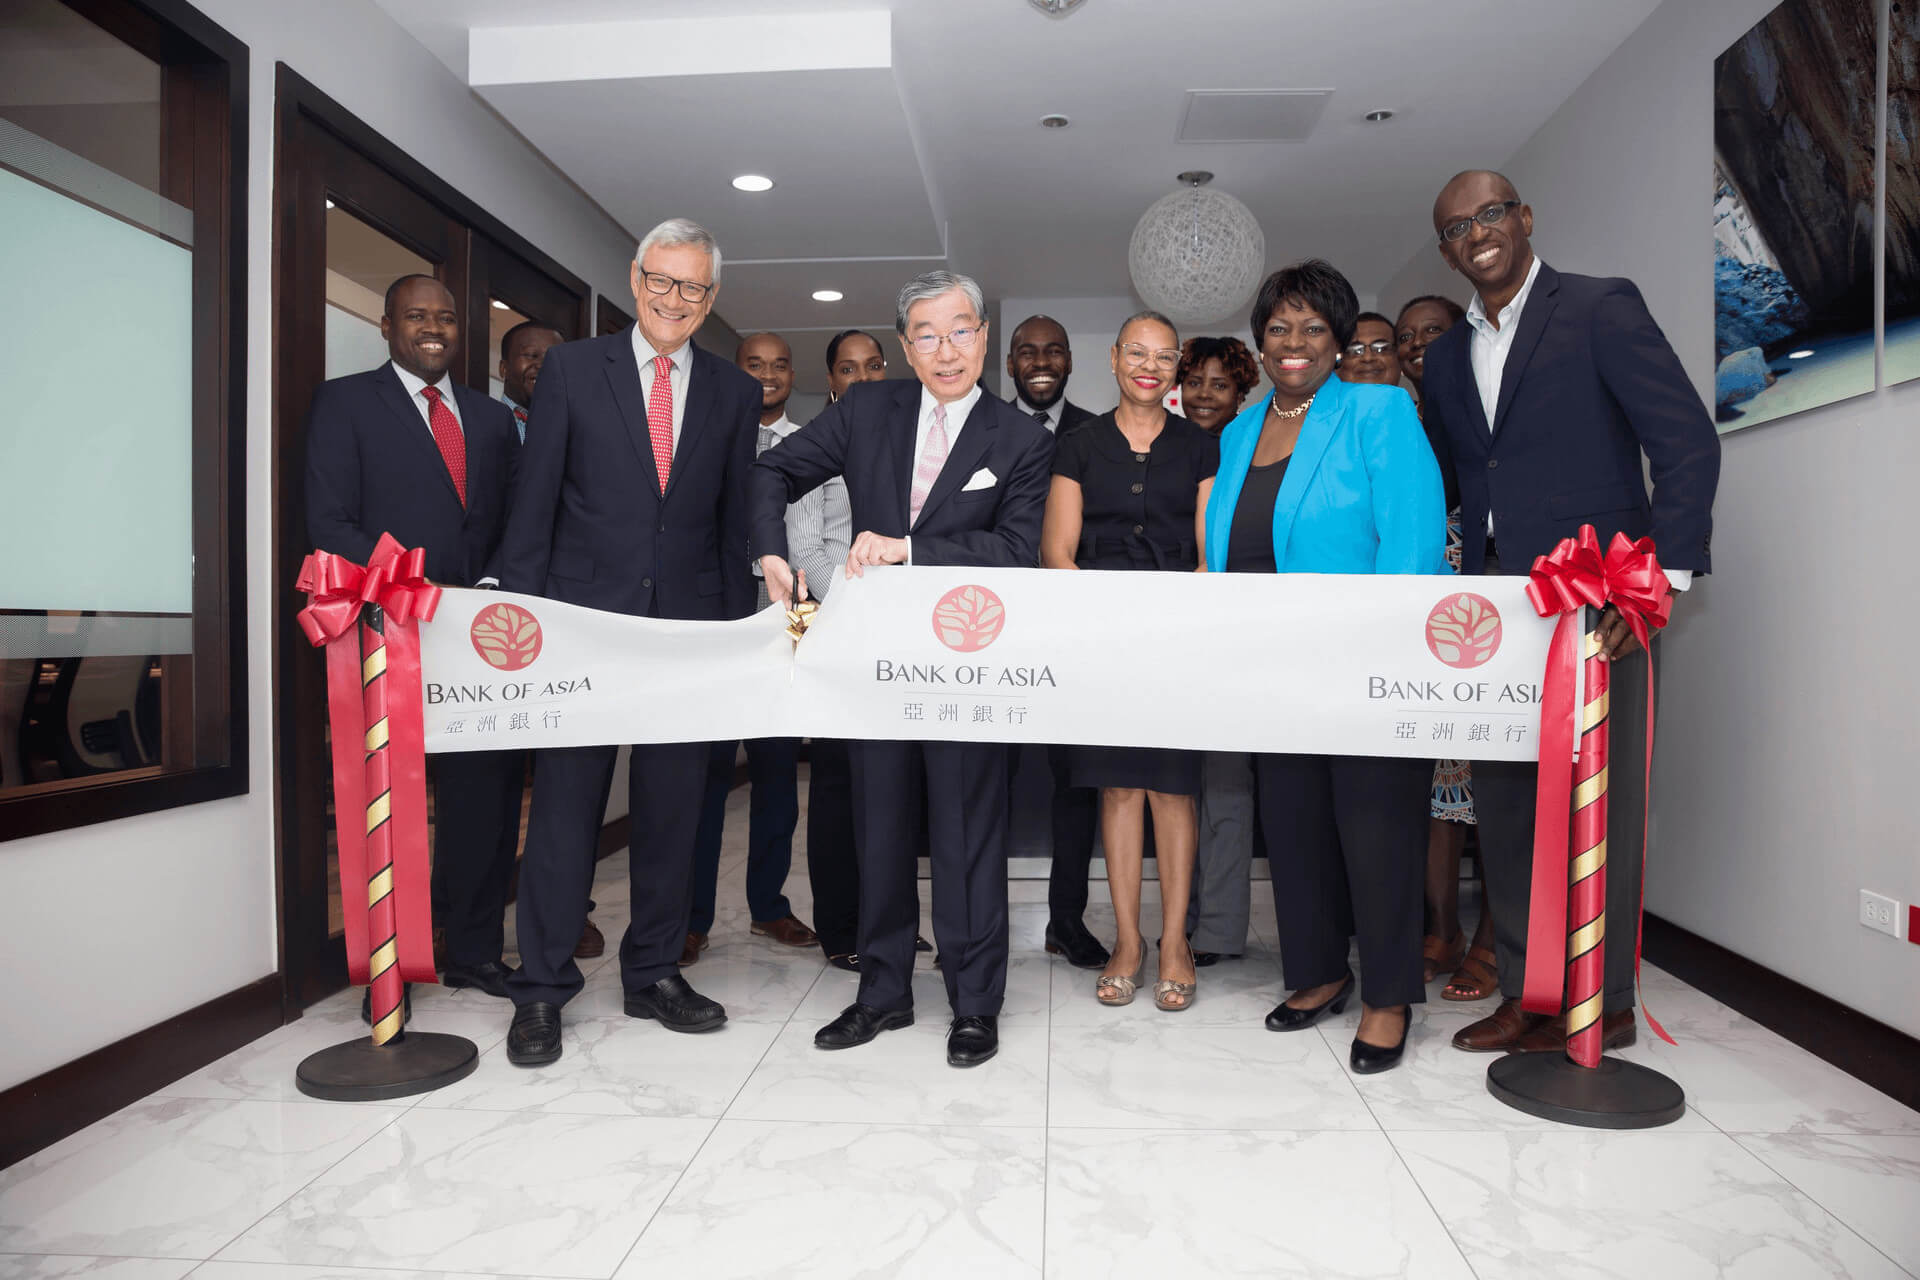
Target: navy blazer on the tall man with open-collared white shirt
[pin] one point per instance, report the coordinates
(1589, 389)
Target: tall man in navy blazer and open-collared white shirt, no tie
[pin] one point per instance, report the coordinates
(1548, 398)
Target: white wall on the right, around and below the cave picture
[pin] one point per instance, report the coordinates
(1788, 747)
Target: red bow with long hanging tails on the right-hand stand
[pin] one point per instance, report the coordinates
(1573, 577)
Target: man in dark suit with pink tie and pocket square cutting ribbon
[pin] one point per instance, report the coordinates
(938, 473)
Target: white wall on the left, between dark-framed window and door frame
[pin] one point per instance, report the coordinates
(114, 928)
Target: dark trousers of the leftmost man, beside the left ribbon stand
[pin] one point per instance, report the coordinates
(477, 832)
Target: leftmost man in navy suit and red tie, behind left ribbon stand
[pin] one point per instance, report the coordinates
(404, 450)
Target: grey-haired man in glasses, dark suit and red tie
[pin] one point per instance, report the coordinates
(633, 498)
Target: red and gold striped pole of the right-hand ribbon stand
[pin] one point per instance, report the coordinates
(1587, 878)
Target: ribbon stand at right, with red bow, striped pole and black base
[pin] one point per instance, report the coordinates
(1583, 1087)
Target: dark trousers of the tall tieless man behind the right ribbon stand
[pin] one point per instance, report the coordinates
(1504, 807)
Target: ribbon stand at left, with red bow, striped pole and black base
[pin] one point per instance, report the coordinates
(366, 621)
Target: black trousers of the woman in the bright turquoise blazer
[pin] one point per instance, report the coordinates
(1347, 845)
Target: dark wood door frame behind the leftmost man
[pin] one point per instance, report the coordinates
(322, 153)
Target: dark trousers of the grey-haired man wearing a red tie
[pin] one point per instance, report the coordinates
(558, 872)
